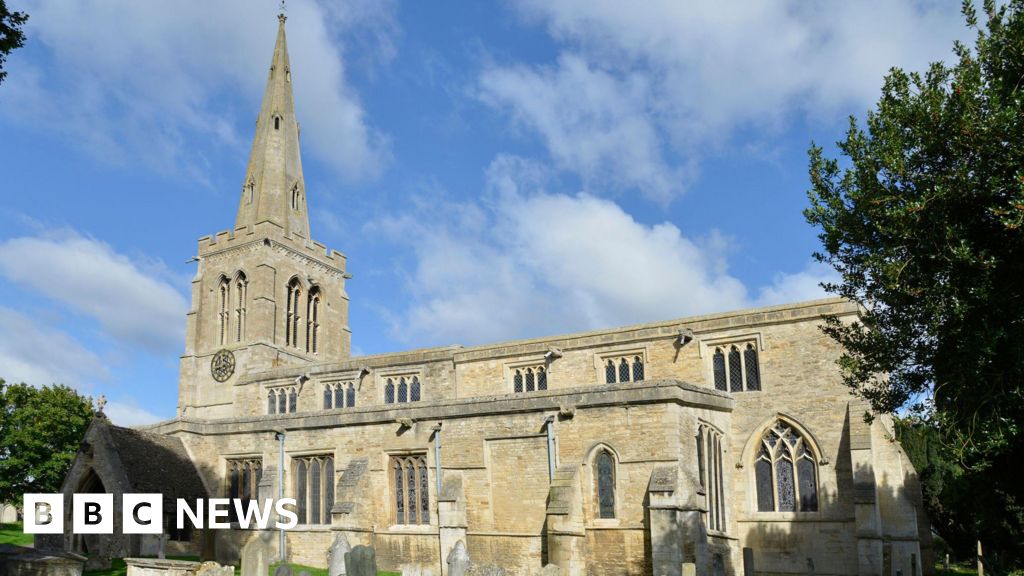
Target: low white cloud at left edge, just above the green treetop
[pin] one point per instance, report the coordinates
(38, 355)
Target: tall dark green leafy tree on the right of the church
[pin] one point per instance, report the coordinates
(923, 220)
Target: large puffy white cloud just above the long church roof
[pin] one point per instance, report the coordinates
(529, 263)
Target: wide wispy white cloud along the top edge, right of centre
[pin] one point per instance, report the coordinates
(643, 90)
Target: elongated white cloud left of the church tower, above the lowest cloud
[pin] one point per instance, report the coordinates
(134, 306)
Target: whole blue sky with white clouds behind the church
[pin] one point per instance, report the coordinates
(491, 171)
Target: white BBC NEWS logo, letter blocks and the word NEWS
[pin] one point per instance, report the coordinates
(144, 514)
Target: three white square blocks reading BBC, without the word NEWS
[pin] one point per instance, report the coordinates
(94, 514)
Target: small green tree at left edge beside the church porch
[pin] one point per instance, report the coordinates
(40, 432)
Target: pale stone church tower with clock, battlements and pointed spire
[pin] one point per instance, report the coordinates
(266, 295)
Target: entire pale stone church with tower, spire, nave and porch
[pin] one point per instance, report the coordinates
(726, 441)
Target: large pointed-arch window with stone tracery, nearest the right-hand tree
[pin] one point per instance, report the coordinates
(785, 472)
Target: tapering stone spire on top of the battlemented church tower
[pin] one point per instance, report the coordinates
(274, 190)
